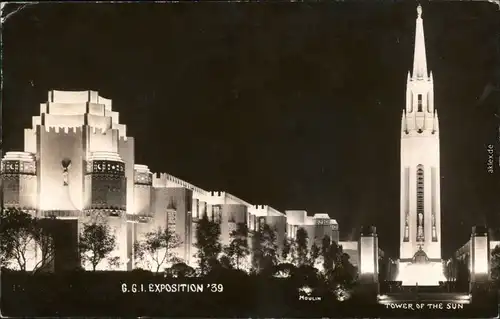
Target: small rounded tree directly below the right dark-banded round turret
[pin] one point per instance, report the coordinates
(96, 243)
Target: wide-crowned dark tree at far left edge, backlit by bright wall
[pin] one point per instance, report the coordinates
(21, 236)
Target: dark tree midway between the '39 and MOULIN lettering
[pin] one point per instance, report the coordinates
(265, 249)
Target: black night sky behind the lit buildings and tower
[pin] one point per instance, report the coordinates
(297, 106)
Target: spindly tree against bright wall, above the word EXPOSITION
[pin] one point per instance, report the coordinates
(158, 248)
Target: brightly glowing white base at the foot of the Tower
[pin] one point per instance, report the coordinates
(429, 274)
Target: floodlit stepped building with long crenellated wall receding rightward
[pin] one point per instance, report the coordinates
(78, 165)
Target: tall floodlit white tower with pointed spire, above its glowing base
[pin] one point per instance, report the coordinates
(420, 224)
